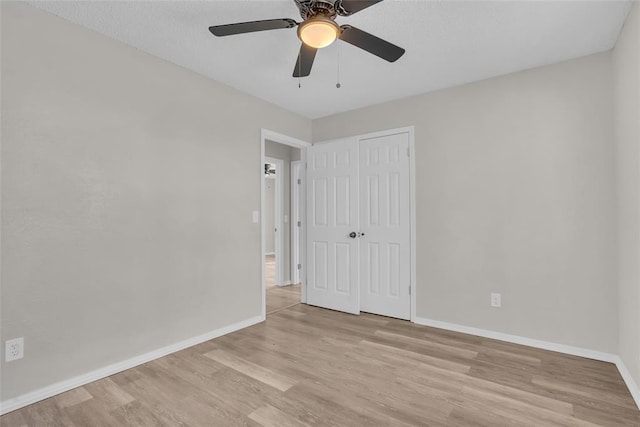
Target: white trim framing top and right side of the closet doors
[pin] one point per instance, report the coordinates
(410, 130)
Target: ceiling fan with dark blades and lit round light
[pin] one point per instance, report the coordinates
(319, 29)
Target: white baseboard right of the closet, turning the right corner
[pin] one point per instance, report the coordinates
(545, 345)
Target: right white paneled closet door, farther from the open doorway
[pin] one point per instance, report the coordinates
(385, 247)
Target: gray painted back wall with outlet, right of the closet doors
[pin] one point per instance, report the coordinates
(515, 193)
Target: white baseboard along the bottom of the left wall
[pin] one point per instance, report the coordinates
(62, 386)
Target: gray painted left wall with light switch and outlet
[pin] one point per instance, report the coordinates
(117, 237)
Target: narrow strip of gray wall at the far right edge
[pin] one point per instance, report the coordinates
(626, 62)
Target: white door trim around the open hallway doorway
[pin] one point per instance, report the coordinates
(265, 135)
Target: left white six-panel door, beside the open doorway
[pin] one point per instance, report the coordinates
(332, 214)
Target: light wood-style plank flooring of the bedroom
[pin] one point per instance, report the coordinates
(309, 366)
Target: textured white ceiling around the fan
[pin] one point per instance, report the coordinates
(448, 43)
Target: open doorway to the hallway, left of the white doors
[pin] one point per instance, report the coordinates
(282, 210)
